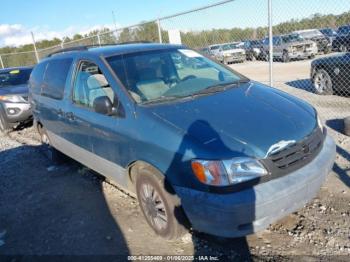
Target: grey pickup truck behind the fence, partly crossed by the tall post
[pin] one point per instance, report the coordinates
(291, 46)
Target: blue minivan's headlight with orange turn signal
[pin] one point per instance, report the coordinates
(228, 172)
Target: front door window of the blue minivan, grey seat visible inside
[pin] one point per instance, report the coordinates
(89, 84)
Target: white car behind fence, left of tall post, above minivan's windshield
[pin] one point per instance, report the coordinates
(231, 52)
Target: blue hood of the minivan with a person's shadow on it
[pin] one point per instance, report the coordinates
(246, 120)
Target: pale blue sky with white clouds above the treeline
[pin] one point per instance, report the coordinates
(58, 18)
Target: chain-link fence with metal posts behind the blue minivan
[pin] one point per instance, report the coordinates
(305, 61)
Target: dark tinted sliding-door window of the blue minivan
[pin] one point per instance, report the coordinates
(55, 78)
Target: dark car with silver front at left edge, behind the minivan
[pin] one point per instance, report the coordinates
(14, 105)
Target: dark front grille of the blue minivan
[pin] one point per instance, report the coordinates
(300, 152)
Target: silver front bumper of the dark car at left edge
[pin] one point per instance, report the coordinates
(16, 112)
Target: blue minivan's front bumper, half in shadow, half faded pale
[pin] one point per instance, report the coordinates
(245, 212)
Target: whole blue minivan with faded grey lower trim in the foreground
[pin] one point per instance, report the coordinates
(201, 148)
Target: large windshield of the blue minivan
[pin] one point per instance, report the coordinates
(162, 75)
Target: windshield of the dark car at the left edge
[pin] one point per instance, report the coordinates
(14, 77)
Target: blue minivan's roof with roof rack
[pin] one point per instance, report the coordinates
(110, 50)
